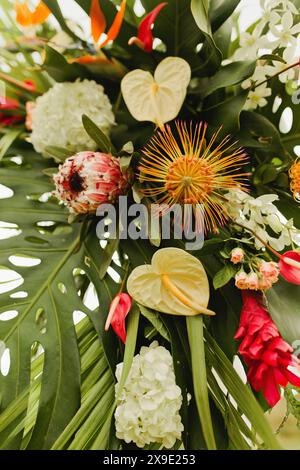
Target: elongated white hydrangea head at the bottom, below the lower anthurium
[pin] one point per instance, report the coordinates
(148, 408)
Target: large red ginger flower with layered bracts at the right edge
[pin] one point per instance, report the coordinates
(264, 351)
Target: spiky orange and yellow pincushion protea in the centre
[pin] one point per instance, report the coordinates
(189, 170)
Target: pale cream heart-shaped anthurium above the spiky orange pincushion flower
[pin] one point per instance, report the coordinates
(157, 98)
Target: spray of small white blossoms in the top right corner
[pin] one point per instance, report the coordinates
(276, 30)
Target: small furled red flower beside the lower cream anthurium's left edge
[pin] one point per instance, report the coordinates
(119, 309)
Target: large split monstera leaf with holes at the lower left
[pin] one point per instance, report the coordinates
(41, 308)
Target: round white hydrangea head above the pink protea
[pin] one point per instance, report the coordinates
(57, 116)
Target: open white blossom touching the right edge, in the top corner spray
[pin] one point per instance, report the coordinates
(285, 31)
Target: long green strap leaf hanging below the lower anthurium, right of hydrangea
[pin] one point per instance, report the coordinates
(196, 340)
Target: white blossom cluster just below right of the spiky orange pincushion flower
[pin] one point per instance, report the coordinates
(259, 214)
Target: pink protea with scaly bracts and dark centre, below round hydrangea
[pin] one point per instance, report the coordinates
(88, 179)
